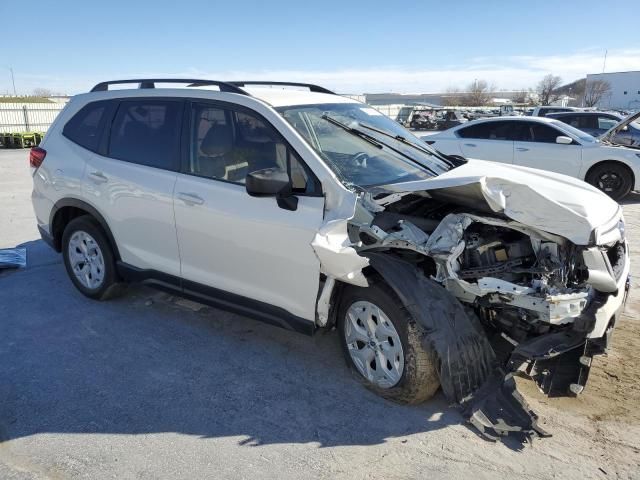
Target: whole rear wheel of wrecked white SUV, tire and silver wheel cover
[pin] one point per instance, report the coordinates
(89, 259)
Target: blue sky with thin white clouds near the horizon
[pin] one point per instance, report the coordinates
(354, 47)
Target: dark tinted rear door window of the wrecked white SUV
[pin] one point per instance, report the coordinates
(147, 132)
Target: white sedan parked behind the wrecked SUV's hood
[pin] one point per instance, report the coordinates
(547, 144)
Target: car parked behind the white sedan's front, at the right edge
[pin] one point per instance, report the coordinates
(599, 123)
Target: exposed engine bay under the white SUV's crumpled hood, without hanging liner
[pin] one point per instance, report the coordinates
(523, 282)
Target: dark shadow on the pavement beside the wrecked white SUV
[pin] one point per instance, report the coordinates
(148, 363)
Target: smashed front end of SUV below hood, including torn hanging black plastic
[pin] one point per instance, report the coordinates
(535, 294)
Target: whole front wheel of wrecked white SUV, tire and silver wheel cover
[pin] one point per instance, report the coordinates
(382, 343)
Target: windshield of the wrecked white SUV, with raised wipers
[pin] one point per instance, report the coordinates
(363, 146)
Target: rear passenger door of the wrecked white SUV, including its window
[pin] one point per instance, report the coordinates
(131, 180)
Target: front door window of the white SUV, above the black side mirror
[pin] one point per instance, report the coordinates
(228, 144)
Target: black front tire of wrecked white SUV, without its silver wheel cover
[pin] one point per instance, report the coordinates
(419, 380)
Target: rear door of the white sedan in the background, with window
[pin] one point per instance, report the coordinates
(487, 141)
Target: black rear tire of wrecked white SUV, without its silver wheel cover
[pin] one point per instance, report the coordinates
(110, 287)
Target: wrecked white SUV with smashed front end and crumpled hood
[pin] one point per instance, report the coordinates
(309, 210)
